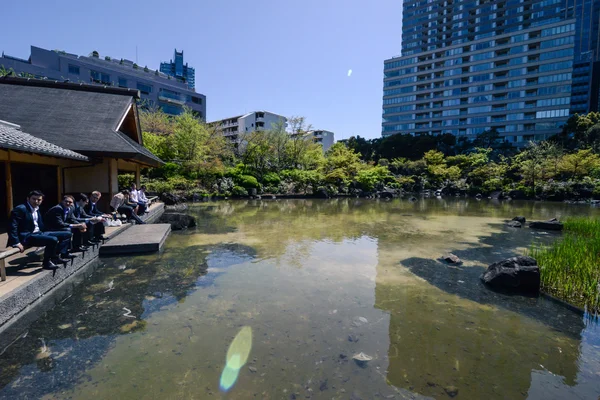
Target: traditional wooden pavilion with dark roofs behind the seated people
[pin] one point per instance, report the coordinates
(96, 128)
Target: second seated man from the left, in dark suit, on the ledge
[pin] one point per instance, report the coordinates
(60, 218)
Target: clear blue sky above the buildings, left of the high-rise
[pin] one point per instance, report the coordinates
(288, 57)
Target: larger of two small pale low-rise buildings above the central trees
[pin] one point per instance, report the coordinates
(235, 127)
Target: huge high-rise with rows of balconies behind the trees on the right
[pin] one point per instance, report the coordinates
(468, 66)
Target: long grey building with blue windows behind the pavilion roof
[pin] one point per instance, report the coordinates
(157, 89)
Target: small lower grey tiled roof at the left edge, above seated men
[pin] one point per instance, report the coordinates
(13, 138)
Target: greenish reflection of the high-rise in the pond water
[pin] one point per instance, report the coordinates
(445, 334)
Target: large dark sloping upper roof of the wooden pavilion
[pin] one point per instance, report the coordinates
(82, 118)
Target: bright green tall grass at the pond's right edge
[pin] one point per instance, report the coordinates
(570, 267)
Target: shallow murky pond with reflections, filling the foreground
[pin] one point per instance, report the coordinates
(316, 282)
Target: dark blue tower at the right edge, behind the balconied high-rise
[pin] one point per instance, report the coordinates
(585, 92)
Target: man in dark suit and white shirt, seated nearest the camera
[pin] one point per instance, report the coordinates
(26, 228)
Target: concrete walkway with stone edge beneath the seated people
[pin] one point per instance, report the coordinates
(26, 282)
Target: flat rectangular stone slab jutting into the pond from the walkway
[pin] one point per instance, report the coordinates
(138, 239)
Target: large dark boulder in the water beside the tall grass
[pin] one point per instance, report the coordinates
(518, 274)
